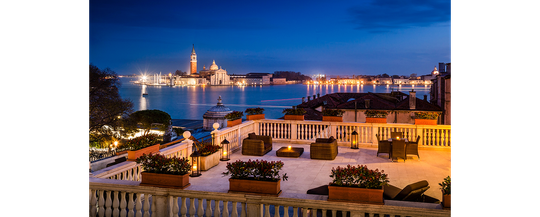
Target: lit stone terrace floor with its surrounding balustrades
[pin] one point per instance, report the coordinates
(208, 193)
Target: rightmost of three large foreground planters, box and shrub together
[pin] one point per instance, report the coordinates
(357, 184)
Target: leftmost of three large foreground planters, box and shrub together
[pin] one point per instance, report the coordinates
(160, 171)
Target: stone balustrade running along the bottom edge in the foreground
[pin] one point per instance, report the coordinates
(126, 198)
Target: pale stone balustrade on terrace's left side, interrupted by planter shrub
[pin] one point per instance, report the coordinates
(131, 171)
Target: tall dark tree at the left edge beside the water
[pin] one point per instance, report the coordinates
(105, 106)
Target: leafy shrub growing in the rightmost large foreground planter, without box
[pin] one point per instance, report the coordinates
(358, 176)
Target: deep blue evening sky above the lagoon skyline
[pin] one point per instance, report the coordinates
(330, 37)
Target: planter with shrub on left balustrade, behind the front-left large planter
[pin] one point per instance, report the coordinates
(138, 146)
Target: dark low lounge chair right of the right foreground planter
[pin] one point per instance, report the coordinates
(411, 192)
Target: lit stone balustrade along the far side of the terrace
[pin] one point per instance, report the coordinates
(307, 131)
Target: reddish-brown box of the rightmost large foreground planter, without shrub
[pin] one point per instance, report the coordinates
(355, 195)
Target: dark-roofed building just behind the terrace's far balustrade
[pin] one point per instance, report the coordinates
(401, 107)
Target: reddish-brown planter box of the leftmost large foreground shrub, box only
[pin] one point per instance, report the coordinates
(165, 180)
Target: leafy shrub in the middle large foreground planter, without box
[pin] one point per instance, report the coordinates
(257, 170)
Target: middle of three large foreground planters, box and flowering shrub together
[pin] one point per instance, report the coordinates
(259, 177)
